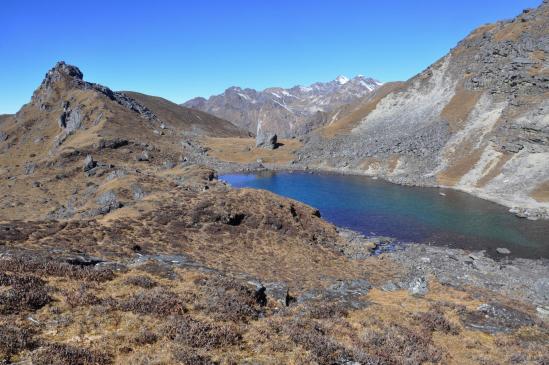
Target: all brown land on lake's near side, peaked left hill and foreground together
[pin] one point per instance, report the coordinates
(135, 256)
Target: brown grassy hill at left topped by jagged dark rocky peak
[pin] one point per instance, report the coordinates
(44, 146)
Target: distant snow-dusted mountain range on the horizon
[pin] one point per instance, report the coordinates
(287, 112)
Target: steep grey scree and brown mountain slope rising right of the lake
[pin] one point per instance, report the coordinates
(476, 120)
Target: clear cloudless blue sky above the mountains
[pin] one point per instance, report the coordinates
(182, 49)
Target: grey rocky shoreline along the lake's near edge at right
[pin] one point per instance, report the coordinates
(522, 279)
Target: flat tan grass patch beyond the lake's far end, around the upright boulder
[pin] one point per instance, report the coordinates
(243, 150)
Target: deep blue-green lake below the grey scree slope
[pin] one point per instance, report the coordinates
(422, 215)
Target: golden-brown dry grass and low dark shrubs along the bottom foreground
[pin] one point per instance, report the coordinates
(108, 322)
